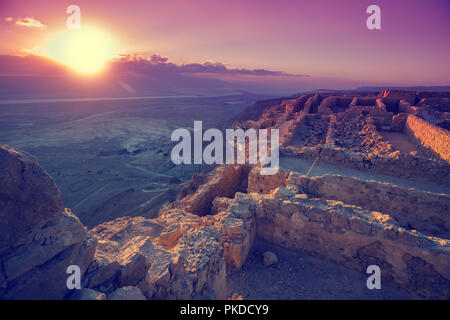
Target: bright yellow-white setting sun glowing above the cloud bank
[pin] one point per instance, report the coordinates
(85, 50)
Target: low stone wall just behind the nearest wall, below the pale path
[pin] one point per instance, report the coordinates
(419, 210)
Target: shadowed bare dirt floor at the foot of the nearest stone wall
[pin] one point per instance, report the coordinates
(297, 276)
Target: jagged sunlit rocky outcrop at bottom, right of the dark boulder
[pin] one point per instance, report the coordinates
(173, 257)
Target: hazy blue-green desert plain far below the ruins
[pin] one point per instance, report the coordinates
(111, 157)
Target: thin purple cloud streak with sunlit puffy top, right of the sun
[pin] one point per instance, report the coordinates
(142, 65)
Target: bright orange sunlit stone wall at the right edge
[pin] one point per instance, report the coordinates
(432, 139)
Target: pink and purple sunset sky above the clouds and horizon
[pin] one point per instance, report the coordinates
(326, 40)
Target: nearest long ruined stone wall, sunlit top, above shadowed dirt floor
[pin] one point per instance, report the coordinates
(355, 238)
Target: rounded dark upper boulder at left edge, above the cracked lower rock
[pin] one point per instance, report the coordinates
(27, 196)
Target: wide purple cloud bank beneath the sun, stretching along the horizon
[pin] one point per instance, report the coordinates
(31, 76)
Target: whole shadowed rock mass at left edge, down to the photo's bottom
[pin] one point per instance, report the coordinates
(39, 238)
